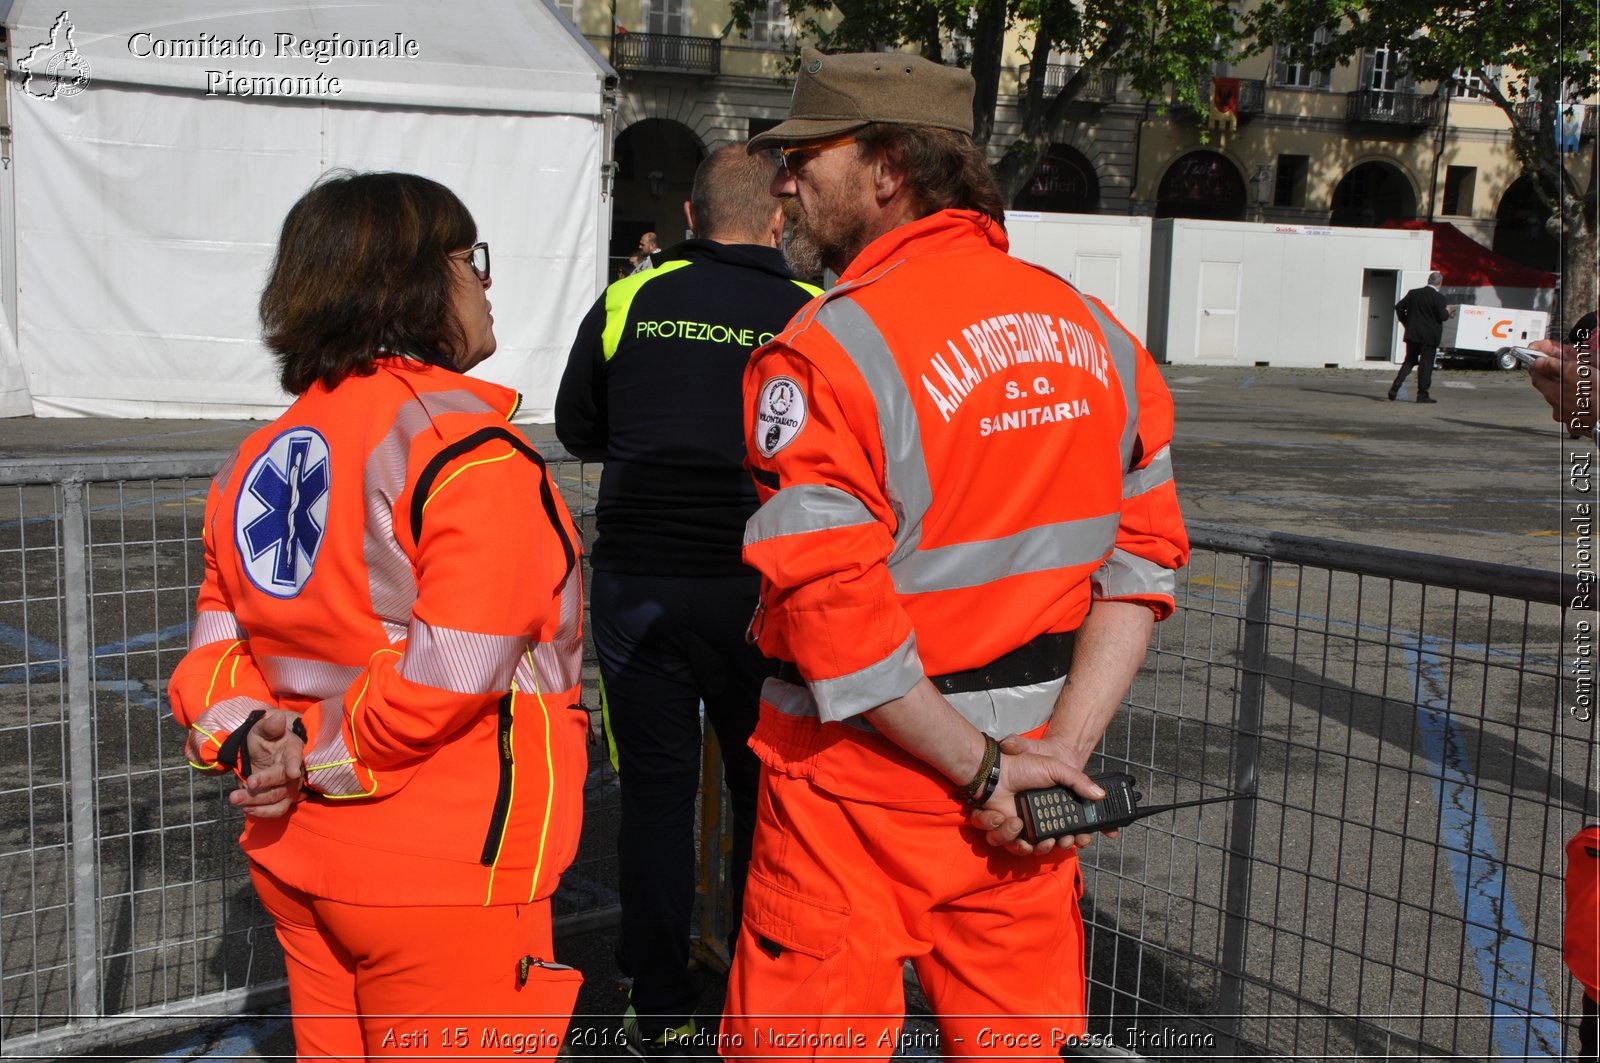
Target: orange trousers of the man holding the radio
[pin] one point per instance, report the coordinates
(842, 894)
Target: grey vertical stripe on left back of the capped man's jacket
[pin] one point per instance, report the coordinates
(905, 467)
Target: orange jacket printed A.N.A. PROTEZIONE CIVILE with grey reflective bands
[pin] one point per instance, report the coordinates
(956, 454)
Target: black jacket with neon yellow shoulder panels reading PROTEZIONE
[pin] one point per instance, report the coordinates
(654, 390)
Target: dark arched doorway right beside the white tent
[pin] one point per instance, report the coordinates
(655, 169)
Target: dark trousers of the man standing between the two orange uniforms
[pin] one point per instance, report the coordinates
(668, 644)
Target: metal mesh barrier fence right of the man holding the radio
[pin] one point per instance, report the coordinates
(1394, 889)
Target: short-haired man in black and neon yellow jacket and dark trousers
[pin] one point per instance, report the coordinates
(654, 390)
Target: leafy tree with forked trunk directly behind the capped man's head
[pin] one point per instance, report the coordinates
(1159, 46)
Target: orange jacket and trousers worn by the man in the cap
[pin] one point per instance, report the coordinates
(956, 454)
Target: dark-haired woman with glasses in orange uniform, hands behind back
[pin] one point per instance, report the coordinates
(388, 646)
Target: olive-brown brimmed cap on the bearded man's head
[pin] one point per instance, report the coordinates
(836, 95)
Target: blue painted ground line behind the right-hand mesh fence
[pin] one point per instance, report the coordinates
(1495, 937)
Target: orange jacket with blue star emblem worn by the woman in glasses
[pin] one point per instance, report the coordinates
(391, 560)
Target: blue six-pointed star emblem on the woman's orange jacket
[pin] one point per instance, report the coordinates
(282, 511)
